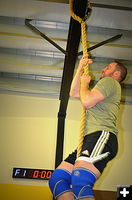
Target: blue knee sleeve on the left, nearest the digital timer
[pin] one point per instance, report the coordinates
(60, 182)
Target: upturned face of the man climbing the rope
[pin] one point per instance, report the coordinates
(108, 70)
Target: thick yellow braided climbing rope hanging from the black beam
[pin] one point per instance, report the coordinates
(86, 71)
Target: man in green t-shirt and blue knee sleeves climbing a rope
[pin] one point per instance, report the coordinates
(74, 178)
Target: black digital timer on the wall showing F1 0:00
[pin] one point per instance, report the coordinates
(27, 173)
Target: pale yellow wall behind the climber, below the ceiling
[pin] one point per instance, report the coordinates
(28, 128)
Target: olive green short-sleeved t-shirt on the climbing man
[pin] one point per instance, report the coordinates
(103, 115)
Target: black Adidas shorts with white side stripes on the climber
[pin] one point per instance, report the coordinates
(95, 146)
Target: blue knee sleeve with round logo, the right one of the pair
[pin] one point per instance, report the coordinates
(82, 183)
